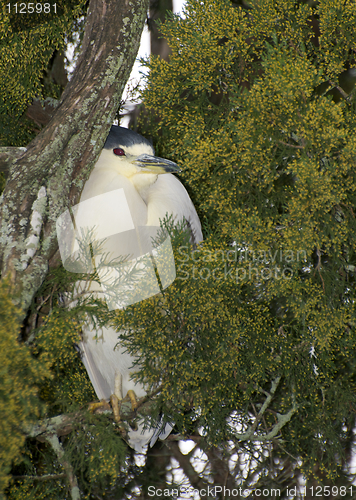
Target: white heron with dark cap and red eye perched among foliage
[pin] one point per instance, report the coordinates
(128, 191)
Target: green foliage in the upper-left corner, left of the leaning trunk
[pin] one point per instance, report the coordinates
(27, 43)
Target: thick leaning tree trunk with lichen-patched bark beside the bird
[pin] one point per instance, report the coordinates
(50, 175)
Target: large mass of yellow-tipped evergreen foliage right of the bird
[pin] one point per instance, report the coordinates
(270, 163)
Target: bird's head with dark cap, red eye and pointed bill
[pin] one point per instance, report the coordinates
(132, 156)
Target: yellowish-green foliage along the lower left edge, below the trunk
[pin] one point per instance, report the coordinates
(19, 376)
